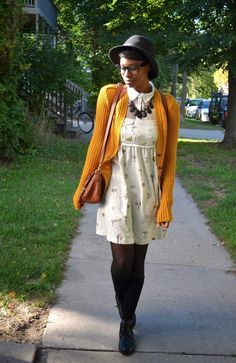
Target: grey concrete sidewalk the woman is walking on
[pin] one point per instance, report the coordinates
(187, 311)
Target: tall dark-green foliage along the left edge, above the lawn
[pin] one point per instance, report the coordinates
(15, 132)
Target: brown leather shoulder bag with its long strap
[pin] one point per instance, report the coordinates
(94, 187)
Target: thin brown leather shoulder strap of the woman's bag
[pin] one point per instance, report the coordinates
(119, 92)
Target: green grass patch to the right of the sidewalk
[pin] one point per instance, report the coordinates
(208, 172)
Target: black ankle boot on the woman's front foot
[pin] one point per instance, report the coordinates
(126, 338)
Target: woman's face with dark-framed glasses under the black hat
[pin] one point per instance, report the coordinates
(135, 74)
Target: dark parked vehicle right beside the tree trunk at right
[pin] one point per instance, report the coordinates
(218, 109)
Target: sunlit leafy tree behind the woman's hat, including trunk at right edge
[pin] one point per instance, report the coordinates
(188, 33)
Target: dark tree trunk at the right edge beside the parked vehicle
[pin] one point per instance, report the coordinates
(230, 125)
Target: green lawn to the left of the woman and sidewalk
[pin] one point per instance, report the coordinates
(37, 219)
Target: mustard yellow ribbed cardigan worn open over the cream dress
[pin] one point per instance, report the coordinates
(165, 149)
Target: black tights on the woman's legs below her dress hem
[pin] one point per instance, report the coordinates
(127, 270)
